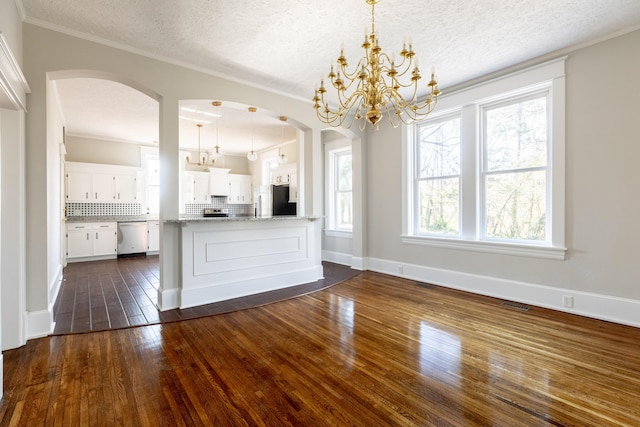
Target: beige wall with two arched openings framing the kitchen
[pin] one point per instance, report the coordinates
(48, 53)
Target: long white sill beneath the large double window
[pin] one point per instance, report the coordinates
(533, 251)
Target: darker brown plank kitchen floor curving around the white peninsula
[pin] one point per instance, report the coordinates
(119, 293)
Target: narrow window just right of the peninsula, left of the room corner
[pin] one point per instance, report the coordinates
(340, 194)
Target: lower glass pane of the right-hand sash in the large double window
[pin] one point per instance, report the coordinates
(515, 206)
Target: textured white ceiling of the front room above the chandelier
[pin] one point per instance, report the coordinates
(286, 45)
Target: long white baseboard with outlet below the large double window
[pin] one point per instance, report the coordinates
(604, 307)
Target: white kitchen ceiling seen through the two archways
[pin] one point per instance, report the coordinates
(108, 110)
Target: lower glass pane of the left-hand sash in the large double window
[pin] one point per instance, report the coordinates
(439, 206)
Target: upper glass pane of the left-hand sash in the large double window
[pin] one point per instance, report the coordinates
(439, 148)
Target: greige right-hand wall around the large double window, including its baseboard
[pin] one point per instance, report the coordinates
(602, 267)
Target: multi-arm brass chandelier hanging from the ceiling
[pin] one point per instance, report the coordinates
(373, 87)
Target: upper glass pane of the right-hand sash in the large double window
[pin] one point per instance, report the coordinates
(516, 135)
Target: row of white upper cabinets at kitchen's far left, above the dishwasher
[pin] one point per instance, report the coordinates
(88, 182)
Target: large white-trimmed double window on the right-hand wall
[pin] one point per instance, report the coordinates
(486, 172)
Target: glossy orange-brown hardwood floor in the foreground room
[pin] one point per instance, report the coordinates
(374, 350)
